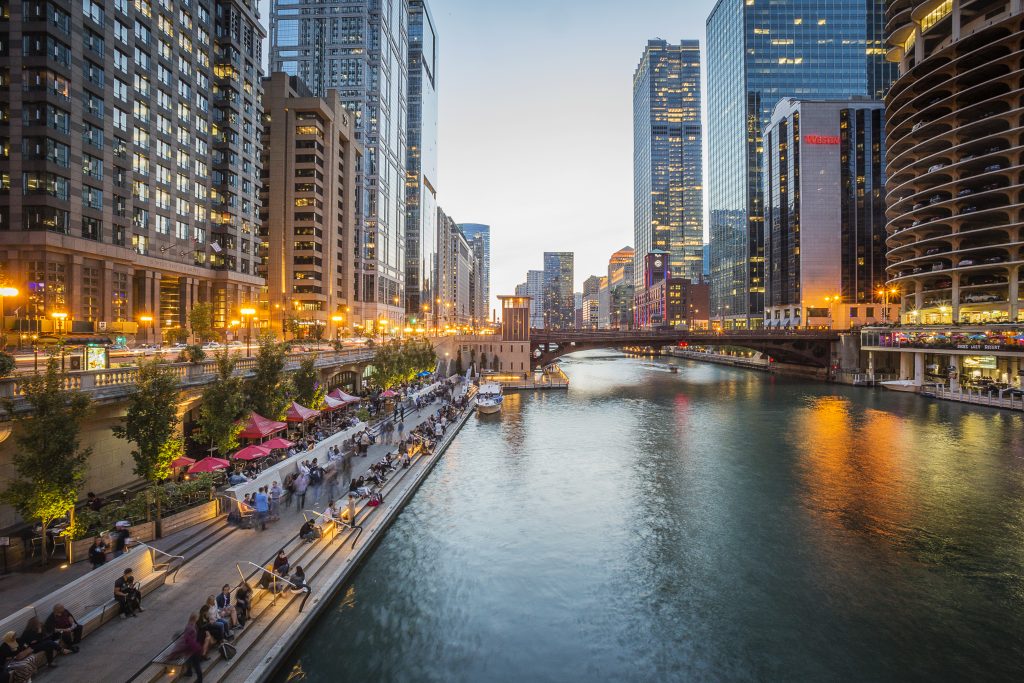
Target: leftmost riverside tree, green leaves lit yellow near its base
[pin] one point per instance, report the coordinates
(50, 464)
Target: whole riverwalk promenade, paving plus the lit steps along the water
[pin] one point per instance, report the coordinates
(123, 650)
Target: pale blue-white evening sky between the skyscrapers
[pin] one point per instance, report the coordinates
(536, 122)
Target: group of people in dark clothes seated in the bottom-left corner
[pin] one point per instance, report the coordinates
(39, 646)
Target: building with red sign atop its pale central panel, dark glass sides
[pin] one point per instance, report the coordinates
(825, 214)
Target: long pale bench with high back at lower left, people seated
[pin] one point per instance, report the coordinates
(91, 599)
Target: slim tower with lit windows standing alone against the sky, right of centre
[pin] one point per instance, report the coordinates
(668, 193)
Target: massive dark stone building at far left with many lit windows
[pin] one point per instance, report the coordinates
(131, 163)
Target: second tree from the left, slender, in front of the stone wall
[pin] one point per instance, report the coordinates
(151, 422)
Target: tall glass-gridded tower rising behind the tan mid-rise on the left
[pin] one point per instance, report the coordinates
(361, 49)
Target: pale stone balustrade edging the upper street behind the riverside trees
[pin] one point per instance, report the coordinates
(97, 381)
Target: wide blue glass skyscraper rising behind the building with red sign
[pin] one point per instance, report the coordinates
(759, 54)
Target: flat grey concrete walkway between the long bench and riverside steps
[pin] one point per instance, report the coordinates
(121, 648)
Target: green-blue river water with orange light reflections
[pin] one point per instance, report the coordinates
(712, 525)
